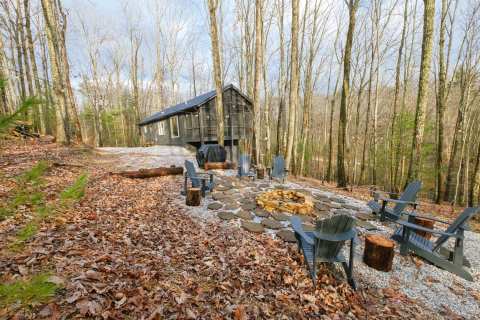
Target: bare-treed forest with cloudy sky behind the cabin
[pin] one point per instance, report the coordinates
(371, 93)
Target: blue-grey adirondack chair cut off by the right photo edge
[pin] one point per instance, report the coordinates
(435, 252)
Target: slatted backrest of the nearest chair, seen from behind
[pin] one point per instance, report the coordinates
(332, 226)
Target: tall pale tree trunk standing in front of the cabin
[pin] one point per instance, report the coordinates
(217, 70)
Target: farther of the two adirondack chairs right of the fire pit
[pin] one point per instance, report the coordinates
(408, 198)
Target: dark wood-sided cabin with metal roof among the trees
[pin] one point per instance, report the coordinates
(193, 122)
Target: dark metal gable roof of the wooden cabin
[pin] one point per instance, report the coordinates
(185, 106)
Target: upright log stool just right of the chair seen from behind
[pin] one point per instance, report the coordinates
(378, 252)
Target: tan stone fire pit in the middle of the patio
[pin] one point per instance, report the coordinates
(286, 201)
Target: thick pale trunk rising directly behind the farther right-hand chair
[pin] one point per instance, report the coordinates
(415, 164)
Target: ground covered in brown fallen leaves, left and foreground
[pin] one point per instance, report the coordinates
(125, 251)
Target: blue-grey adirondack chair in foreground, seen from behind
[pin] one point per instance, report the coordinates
(325, 243)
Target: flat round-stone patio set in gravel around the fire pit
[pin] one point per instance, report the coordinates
(234, 201)
